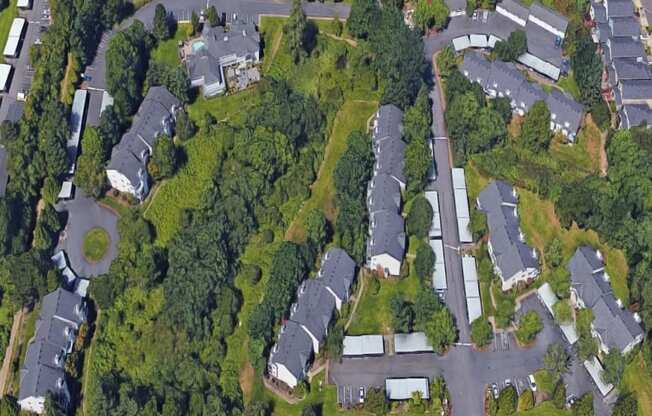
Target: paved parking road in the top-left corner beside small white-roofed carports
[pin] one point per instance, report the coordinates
(23, 73)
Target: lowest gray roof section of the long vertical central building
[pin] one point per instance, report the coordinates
(387, 235)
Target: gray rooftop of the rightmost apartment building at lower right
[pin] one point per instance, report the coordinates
(616, 326)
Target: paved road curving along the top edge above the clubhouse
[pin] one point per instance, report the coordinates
(248, 10)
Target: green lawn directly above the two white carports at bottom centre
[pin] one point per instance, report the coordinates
(373, 314)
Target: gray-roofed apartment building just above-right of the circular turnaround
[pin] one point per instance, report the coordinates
(127, 169)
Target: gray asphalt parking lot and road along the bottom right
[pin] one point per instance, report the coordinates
(467, 371)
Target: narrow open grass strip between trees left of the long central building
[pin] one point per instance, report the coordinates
(352, 116)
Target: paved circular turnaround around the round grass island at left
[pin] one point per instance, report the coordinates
(83, 215)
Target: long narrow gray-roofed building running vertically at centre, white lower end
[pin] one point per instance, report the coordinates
(386, 242)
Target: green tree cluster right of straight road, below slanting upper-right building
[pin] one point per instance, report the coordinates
(475, 124)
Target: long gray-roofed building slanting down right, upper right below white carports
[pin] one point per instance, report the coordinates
(503, 79)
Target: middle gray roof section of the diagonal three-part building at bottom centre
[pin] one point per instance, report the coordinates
(313, 308)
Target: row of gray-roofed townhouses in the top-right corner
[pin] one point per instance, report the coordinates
(627, 76)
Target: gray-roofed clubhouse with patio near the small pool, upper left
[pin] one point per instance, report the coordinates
(224, 57)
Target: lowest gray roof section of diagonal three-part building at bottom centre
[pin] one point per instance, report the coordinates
(293, 349)
